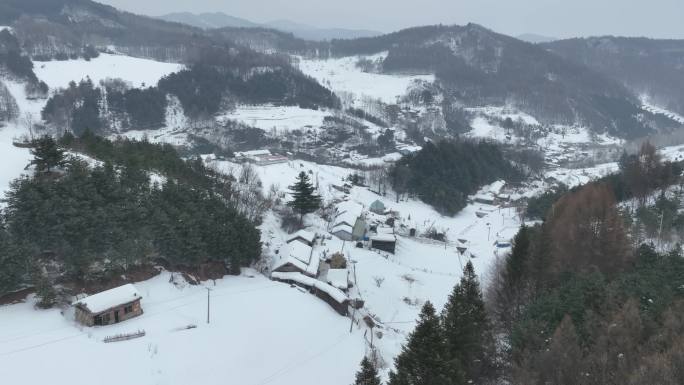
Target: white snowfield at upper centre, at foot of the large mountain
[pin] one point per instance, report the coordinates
(342, 75)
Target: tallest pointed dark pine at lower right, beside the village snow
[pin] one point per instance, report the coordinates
(467, 331)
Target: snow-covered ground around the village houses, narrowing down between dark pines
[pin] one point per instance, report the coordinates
(420, 270)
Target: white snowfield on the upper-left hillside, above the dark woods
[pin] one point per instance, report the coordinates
(139, 72)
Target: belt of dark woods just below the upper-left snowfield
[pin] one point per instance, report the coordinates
(203, 91)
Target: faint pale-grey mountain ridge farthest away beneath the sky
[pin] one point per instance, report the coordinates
(217, 20)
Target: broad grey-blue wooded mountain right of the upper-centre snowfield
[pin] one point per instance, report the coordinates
(477, 66)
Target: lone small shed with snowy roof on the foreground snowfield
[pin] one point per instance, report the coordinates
(109, 307)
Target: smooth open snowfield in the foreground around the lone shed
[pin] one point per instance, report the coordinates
(261, 332)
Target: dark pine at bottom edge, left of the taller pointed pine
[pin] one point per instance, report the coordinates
(423, 360)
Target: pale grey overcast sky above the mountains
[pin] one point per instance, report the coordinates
(556, 18)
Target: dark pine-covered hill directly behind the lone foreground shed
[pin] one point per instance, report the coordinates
(138, 203)
